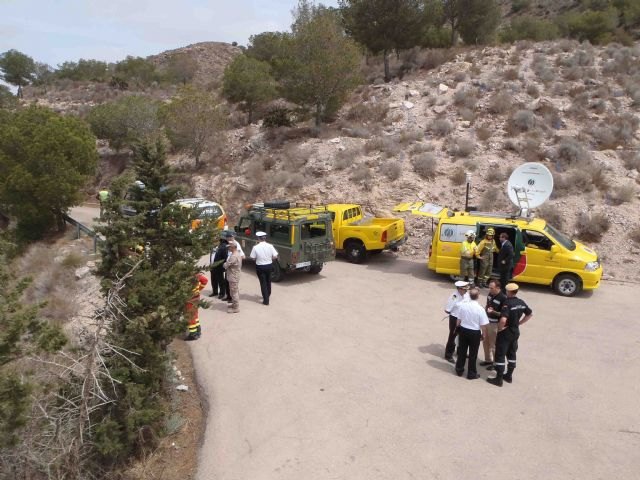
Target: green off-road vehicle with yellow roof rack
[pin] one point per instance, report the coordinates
(301, 234)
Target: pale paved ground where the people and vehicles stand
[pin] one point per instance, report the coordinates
(342, 377)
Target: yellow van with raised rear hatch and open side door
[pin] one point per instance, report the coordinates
(543, 255)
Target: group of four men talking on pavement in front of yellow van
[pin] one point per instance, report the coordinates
(496, 324)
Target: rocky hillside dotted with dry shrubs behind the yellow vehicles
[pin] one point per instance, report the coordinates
(573, 107)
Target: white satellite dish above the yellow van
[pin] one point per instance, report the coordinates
(529, 186)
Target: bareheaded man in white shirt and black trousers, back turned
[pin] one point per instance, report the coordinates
(472, 324)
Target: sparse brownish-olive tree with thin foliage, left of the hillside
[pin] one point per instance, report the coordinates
(193, 119)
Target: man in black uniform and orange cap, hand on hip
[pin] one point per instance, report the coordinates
(514, 313)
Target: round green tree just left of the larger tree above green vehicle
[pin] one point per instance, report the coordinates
(249, 82)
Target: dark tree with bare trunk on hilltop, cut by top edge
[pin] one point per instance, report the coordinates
(385, 25)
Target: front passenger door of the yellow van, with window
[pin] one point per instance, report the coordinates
(542, 264)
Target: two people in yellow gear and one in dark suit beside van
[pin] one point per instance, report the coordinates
(482, 253)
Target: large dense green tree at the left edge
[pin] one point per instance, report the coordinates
(45, 159)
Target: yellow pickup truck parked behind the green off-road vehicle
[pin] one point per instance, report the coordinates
(358, 235)
